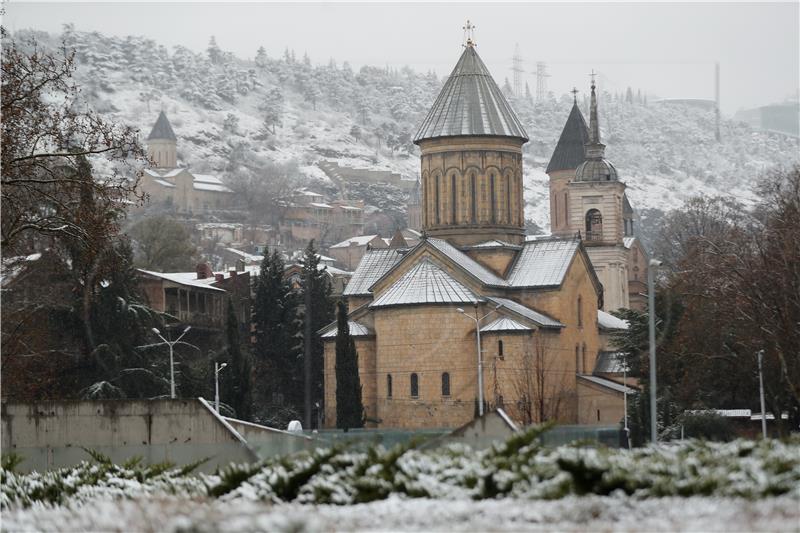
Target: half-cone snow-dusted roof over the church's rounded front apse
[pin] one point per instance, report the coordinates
(425, 283)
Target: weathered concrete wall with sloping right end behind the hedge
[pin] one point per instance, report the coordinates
(52, 434)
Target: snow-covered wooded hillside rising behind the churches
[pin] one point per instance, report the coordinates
(236, 115)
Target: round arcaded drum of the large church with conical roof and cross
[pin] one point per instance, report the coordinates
(471, 163)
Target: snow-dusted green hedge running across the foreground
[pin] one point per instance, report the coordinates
(519, 468)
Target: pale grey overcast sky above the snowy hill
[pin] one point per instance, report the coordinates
(666, 49)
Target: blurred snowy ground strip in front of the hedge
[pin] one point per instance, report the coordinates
(593, 513)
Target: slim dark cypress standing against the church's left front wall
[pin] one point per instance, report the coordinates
(349, 407)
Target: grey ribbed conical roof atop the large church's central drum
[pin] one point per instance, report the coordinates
(470, 103)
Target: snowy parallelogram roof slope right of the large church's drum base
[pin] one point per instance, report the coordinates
(543, 263)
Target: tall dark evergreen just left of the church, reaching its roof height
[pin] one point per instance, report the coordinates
(316, 288)
